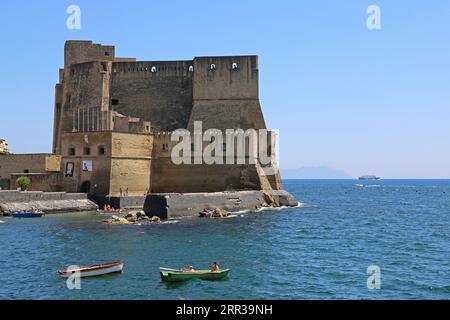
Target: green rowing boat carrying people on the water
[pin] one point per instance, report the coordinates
(175, 275)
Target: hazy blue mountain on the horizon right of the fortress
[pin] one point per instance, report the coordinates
(319, 172)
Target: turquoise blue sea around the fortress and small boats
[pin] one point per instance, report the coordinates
(320, 250)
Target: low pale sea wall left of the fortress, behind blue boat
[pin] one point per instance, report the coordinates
(49, 202)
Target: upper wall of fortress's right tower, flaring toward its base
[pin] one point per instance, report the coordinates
(226, 97)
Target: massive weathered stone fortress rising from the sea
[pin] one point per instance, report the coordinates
(113, 119)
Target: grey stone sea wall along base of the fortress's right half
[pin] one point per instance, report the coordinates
(174, 205)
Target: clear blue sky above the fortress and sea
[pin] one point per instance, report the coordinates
(342, 96)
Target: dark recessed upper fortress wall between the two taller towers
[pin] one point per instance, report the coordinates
(163, 97)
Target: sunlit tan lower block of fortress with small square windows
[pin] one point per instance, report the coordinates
(124, 164)
